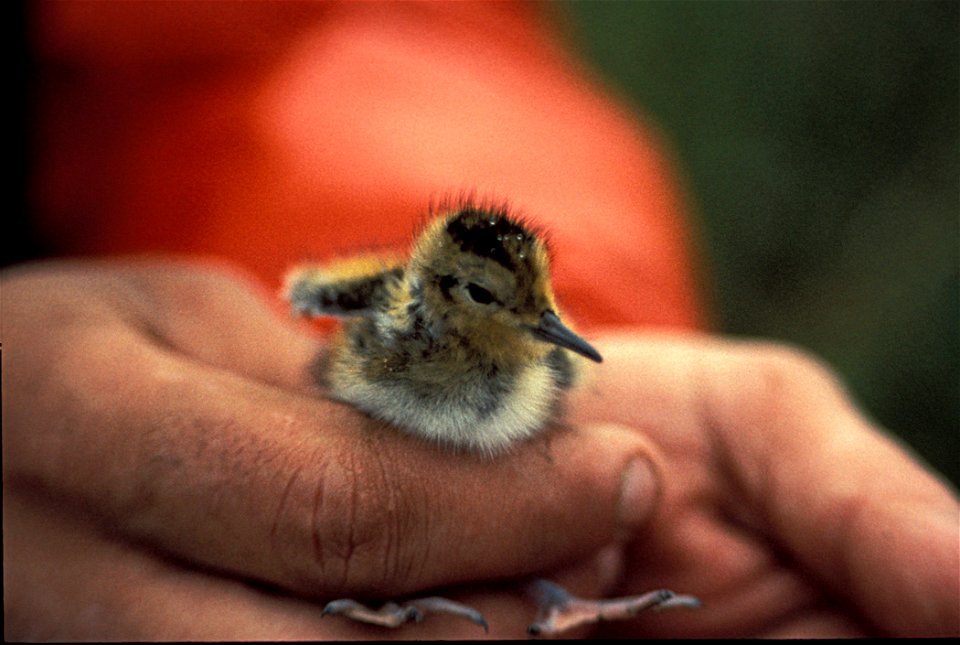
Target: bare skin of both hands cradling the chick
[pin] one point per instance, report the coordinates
(169, 473)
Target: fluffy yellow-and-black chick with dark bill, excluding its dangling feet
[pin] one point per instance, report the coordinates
(461, 345)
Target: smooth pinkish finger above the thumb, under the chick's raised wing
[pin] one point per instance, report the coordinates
(210, 312)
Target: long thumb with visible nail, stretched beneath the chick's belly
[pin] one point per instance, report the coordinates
(296, 491)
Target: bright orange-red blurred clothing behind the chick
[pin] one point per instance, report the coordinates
(272, 133)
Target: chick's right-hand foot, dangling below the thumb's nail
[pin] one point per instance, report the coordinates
(561, 611)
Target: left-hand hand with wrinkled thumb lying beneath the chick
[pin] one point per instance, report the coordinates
(170, 473)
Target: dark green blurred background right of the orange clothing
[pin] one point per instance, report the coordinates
(819, 145)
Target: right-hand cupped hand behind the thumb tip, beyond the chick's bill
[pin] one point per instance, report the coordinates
(784, 509)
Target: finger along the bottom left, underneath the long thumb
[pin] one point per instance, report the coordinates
(65, 580)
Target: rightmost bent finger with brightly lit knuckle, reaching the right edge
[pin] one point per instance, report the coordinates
(845, 499)
